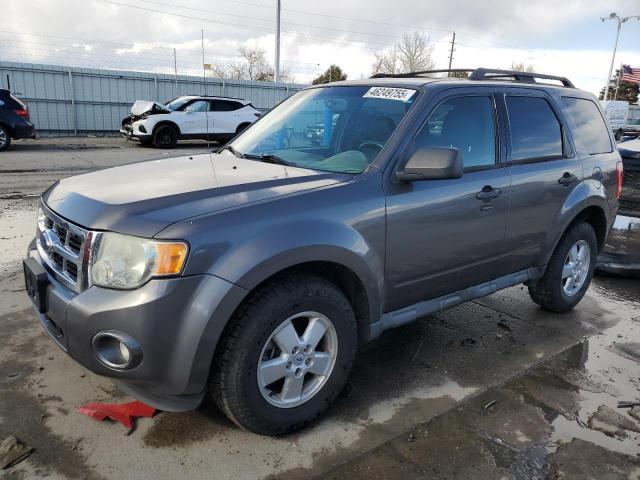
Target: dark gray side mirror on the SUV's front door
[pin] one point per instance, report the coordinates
(432, 163)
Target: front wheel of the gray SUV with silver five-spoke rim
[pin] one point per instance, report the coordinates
(234, 383)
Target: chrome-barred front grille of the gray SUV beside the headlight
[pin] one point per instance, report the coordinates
(64, 249)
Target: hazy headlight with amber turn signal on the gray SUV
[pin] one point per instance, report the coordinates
(124, 261)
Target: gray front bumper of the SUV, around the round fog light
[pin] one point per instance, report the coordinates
(177, 322)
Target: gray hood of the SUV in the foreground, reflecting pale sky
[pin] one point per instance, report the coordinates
(144, 198)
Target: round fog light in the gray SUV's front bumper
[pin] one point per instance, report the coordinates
(117, 350)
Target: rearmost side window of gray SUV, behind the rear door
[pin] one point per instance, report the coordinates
(591, 131)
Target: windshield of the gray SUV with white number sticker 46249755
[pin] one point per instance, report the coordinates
(336, 129)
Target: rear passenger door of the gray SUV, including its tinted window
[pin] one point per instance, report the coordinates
(544, 172)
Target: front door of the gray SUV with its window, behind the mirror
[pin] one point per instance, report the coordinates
(446, 235)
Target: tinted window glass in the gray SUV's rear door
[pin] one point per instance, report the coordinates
(535, 129)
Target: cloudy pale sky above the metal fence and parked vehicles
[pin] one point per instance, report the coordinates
(560, 37)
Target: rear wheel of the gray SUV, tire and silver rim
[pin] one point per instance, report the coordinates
(556, 291)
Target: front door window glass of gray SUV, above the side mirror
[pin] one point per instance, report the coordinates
(465, 123)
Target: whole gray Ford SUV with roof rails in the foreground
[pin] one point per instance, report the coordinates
(252, 274)
